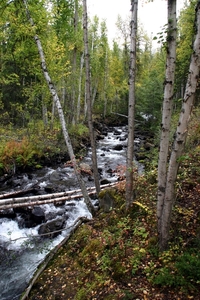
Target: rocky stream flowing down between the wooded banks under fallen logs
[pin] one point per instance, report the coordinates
(22, 248)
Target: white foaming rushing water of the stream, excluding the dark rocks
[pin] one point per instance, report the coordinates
(23, 250)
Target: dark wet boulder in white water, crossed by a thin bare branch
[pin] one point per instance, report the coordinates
(49, 229)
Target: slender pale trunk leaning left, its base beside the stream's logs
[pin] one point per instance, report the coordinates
(61, 115)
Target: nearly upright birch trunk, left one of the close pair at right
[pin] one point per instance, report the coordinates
(167, 109)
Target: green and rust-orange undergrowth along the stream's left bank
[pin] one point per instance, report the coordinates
(29, 147)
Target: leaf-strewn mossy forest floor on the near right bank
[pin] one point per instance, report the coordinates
(115, 255)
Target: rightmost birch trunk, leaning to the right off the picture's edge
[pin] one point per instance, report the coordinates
(181, 134)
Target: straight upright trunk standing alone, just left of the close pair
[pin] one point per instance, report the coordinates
(131, 105)
